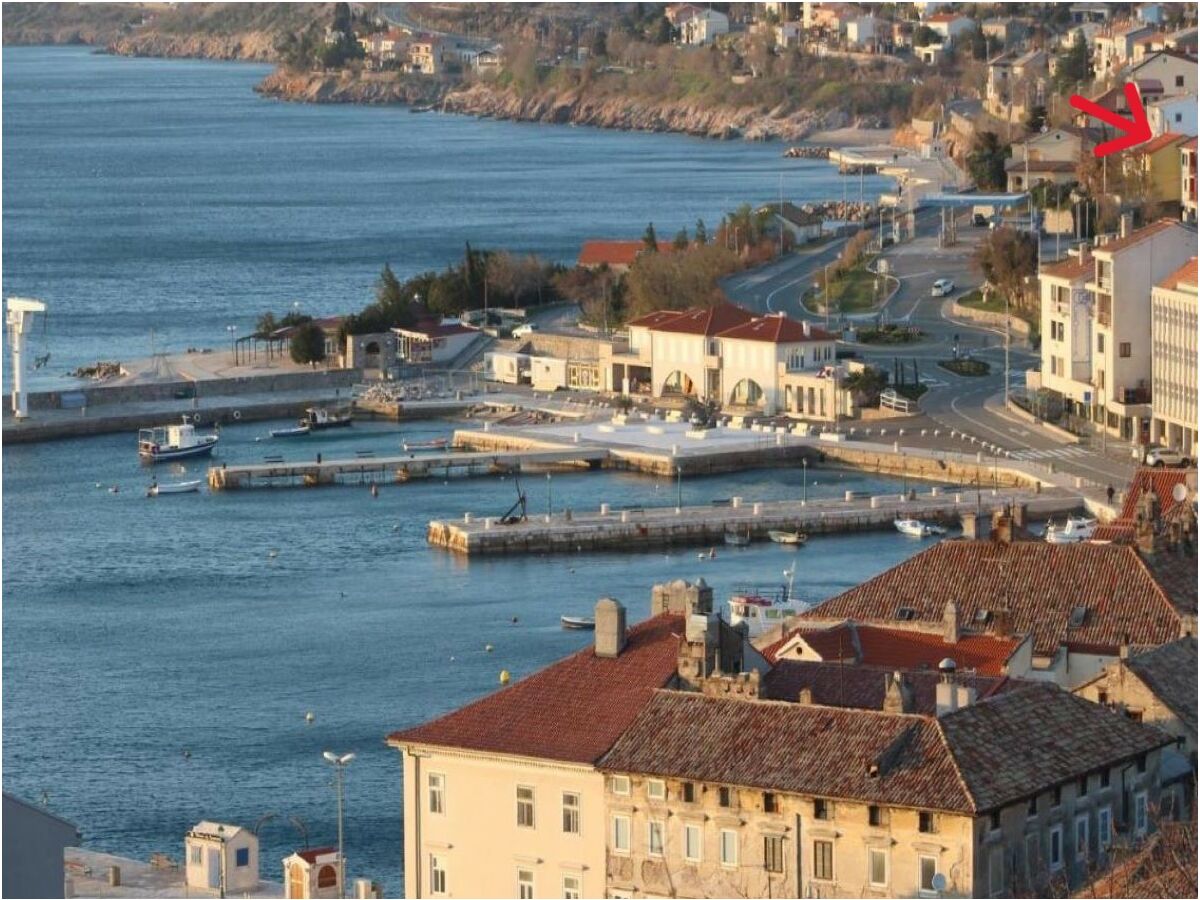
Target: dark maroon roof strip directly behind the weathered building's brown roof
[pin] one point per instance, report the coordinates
(859, 687)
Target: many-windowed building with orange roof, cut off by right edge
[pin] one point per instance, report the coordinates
(1174, 359)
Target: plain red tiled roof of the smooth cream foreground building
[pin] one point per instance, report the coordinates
(572, 711)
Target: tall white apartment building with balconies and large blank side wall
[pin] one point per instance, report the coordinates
(1126, 272)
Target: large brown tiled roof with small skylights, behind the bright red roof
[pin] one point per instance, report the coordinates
(1041, 585)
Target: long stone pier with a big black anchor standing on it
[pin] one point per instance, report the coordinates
(652, 529)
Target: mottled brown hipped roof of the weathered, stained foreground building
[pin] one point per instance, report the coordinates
(991, 754)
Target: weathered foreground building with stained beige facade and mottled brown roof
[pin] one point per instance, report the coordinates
(724, 794)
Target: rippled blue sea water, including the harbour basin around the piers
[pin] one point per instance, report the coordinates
(158, 661)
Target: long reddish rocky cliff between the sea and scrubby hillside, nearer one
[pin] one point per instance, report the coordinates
(559, 107)
